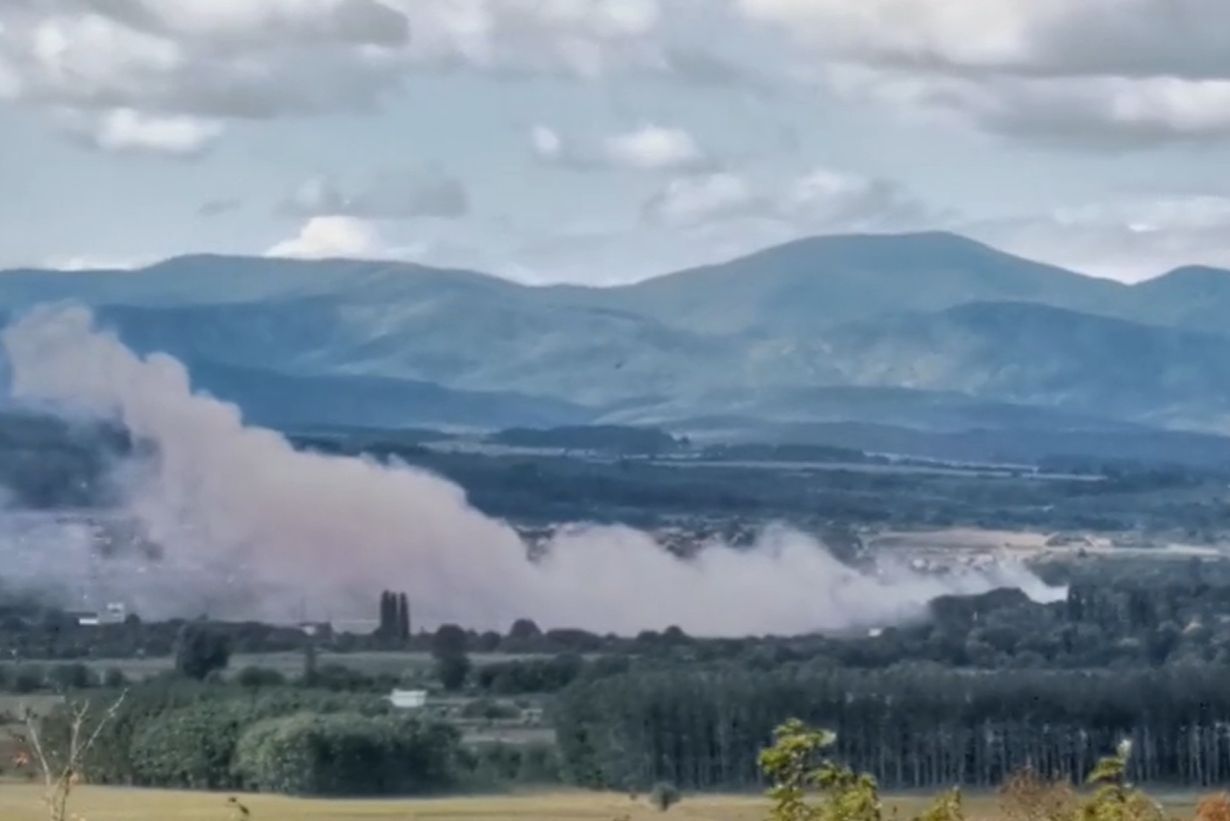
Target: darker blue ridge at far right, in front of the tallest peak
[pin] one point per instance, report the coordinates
(1046, 356)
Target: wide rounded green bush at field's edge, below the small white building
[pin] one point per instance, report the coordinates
(346, 755)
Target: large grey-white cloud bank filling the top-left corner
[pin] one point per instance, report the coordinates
(245, 60)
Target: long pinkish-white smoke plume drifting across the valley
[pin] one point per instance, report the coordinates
(253, 527)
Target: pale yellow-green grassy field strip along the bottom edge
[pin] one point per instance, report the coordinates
(22, 803)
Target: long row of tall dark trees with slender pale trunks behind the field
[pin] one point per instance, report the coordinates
(915, 727)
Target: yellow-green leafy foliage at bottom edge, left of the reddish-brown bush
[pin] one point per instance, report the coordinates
(795, 770)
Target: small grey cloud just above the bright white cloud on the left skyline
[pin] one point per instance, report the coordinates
(392, 195)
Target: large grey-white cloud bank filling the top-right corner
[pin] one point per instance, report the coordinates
(1106, 72)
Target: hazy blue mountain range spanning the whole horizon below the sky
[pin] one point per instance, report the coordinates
(929, 332)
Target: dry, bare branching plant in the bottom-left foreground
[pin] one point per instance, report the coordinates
(61, 764)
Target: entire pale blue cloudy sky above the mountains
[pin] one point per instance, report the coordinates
(608, 141)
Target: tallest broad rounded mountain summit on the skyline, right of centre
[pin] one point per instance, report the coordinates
(827, 281)
